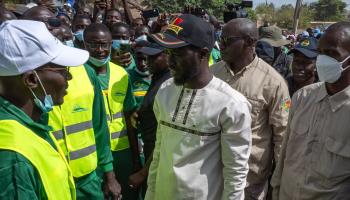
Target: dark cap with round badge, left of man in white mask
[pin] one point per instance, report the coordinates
(307, 46)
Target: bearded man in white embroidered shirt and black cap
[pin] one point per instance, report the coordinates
(203, 135)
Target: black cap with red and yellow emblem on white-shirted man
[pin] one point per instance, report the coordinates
(186, 30)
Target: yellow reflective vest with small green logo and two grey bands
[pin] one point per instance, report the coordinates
(72, 124)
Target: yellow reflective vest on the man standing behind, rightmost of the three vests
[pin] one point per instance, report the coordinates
(114, 101)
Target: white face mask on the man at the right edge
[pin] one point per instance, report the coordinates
(329, 69)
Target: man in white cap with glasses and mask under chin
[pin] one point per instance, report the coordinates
(33, 78)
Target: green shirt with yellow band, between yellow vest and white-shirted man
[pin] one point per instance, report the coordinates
(140, 84)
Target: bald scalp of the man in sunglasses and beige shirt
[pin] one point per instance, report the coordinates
(242, 27)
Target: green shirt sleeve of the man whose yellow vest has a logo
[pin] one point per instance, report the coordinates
(101, 131)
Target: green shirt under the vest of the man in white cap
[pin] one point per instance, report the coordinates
(19, 178)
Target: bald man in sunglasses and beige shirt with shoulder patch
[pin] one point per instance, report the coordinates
(267, 92)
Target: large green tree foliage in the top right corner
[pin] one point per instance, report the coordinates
(329, 10)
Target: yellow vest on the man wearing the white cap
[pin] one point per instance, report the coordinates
(51, 165)
